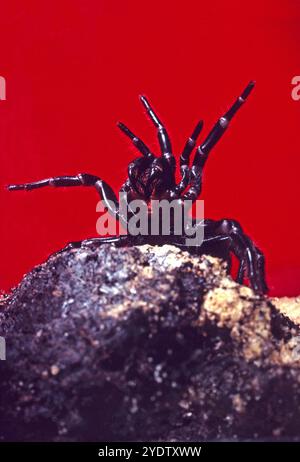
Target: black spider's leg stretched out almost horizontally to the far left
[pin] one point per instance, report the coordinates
(82, 179)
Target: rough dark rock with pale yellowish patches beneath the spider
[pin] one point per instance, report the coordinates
(146, 344)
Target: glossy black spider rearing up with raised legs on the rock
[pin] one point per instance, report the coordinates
(154, 177)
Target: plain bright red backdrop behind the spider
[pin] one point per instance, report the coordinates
(75, 67)
